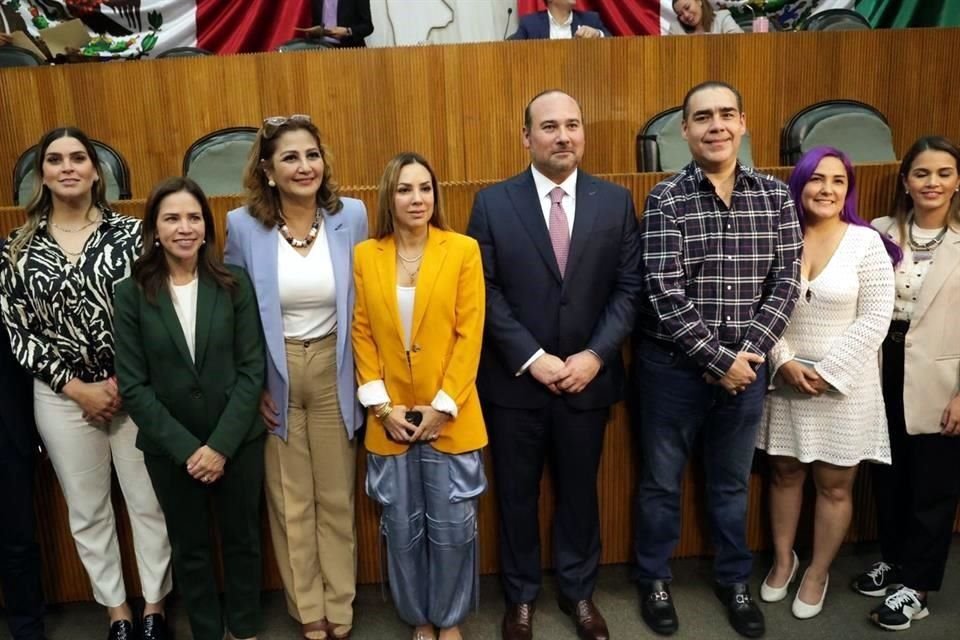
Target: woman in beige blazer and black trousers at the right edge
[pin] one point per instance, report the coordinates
(917, 495)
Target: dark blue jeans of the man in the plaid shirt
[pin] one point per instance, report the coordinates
(674, 408)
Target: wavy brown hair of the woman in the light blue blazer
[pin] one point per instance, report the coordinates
(263, 201)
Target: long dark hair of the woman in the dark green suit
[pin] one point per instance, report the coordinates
(151, 271)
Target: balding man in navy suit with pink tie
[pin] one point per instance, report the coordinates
(561, 261)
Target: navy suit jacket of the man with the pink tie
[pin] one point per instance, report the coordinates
(530, 306)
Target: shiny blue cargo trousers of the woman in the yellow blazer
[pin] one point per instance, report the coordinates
(429, 519)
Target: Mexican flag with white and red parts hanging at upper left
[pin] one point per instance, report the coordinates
(131, 28)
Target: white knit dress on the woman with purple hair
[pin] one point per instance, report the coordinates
(839, 322)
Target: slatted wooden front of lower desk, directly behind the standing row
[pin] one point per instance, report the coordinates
(65, 579)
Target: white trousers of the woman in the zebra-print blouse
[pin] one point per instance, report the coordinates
(81, 454)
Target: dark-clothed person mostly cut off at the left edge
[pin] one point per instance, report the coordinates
(19, 553)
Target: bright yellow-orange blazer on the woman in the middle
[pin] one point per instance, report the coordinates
(446, 335)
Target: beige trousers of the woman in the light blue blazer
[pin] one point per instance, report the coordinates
(310, 482)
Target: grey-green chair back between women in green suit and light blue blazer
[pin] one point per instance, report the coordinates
(216, 161)
